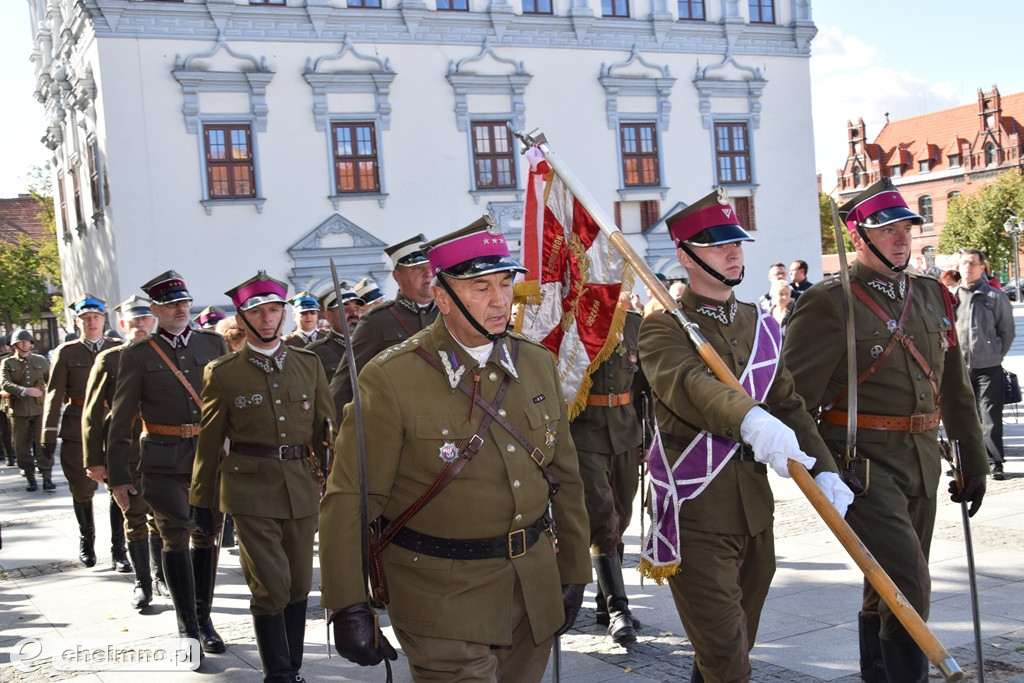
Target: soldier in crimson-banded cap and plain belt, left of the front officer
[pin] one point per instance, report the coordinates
(271, 401)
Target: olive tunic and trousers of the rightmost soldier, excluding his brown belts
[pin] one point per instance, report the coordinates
(906, 468)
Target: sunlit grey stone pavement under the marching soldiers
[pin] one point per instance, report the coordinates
(808, 631)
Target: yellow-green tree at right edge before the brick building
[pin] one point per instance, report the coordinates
(976, 222)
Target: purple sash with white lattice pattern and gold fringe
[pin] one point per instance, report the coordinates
(672, 484)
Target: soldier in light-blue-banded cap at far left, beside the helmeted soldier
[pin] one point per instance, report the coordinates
(66, 395)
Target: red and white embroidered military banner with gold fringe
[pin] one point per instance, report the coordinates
(569, 301)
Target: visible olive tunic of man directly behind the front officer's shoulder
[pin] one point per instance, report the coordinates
(378, 330)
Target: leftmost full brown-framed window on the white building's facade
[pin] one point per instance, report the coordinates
(230, 169)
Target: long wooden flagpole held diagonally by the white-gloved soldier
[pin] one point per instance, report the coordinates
(897, 602)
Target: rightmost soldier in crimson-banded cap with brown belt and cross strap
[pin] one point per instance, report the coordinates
(899, 410)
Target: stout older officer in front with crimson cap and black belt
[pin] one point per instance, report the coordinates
(478, 590)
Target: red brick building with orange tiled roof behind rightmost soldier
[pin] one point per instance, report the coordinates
(935, 157)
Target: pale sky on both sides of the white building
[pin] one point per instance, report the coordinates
(871, 57)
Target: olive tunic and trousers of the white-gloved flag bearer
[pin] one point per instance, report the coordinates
(727, 537)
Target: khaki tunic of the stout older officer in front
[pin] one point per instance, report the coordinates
(500, 491)
